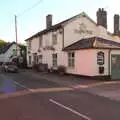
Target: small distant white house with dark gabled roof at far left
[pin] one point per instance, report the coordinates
(8, 52)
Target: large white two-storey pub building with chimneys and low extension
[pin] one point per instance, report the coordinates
(83, 46)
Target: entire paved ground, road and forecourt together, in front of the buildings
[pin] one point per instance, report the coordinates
(33, 96)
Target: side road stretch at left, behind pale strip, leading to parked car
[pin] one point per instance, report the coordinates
(11, 82)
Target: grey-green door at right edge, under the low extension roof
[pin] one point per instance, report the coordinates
(115, 66)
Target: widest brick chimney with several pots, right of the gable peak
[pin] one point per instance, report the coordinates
(102, 17)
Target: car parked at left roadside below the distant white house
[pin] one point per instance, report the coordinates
(9, 67)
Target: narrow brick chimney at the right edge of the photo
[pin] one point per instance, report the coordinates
(116, 24)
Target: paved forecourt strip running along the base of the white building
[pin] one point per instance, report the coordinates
(108, 89)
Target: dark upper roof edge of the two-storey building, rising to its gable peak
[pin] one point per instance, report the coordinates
(59, 25)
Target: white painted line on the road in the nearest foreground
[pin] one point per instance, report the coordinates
(69, 109)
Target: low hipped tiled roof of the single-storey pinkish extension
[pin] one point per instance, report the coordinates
(93, 42)
